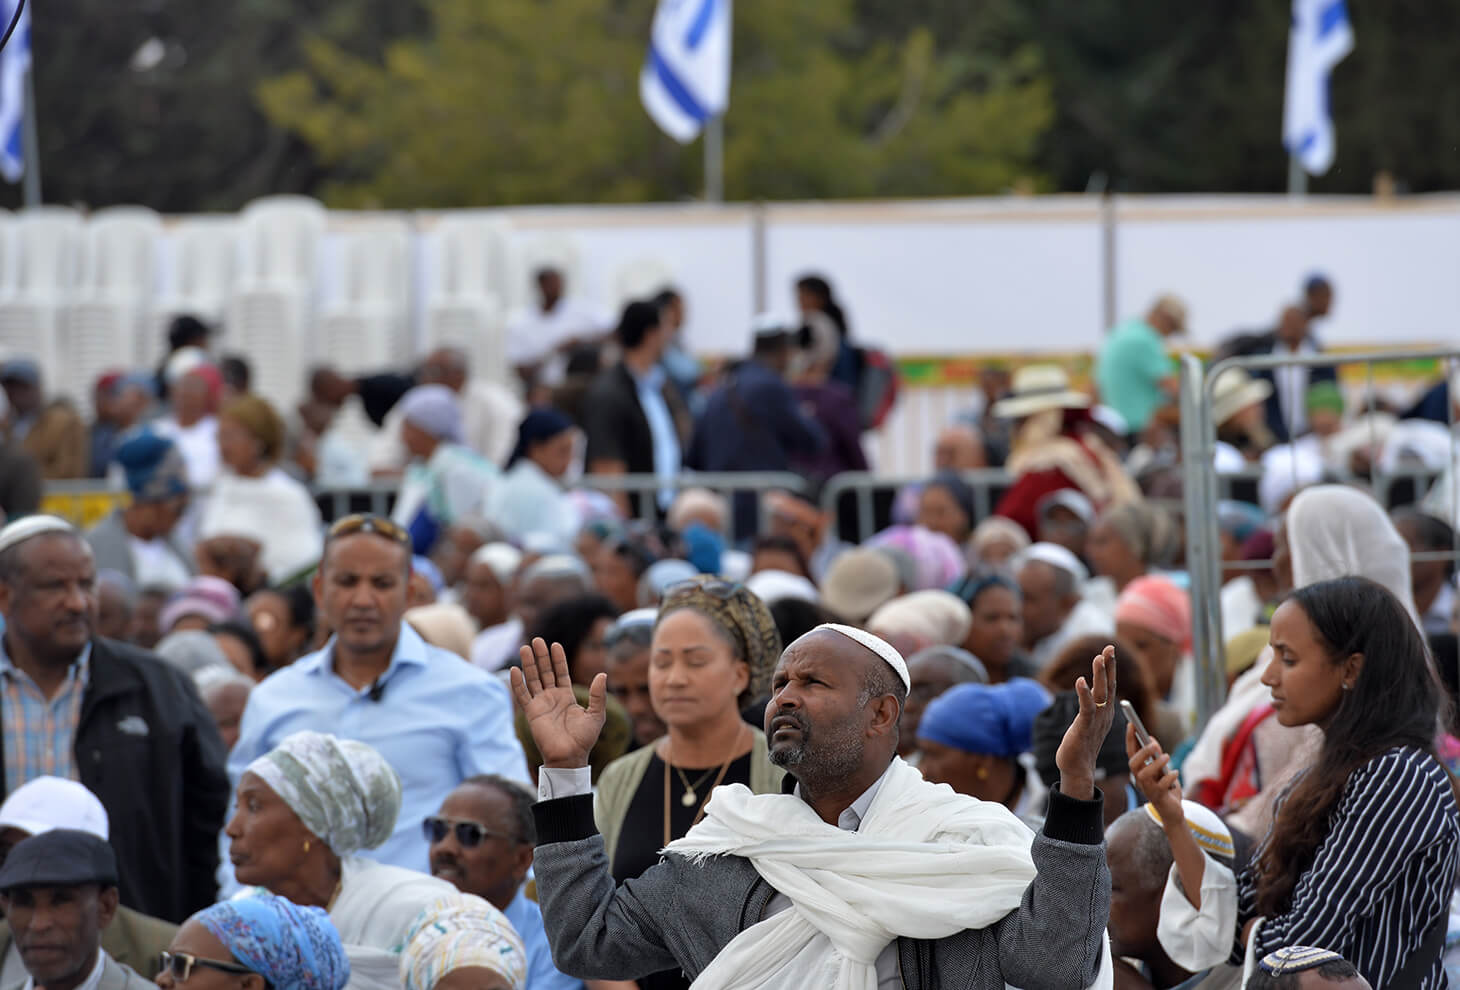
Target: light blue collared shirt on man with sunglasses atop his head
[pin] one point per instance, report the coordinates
(439, 722)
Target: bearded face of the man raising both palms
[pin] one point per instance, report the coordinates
(834, 712)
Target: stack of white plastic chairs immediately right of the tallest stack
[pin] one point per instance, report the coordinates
(367, 325)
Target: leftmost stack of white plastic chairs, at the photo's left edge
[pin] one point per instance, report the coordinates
(40, 277)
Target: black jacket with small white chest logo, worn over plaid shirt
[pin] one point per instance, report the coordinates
(150, 750)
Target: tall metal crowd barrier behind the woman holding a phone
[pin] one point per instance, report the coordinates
(1201, 493)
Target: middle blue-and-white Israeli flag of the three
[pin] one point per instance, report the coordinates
(687, 74)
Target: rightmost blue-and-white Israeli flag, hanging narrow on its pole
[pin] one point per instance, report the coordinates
(1321, 39)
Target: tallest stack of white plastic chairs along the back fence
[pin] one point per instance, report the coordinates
(271, 316)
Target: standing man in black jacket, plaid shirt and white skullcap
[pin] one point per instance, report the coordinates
(119, 719)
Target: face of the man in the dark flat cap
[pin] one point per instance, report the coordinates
(58, 929)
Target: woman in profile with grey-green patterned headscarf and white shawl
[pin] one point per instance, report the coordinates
(306, 810)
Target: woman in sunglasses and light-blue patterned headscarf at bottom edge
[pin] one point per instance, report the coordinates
(284, 945)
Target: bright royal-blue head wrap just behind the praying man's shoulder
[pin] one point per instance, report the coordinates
(991, 721)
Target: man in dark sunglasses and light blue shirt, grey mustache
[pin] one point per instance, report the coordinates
(483, 843)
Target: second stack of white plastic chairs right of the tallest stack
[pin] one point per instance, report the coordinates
(465, 296)
